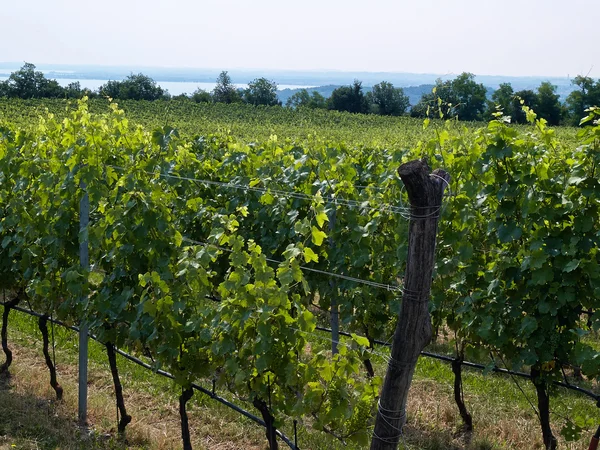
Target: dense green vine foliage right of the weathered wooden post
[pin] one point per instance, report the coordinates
(522, 292)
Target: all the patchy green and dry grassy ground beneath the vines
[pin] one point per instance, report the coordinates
(30, 417)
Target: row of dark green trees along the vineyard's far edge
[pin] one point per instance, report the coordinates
(461, 97)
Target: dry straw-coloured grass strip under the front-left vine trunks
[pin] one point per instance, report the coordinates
(31, 418)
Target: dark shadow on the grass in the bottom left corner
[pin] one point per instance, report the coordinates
(30, 422)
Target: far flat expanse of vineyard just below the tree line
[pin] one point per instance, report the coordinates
(248, 123)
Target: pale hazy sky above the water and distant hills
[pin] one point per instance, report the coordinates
(509, 37)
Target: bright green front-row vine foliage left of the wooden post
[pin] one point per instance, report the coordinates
(150, 276)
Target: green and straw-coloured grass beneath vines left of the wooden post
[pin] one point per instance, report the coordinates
(35, 420)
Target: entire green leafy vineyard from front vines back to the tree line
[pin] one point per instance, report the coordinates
(264, 251)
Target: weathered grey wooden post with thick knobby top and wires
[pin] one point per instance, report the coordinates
(413, 330)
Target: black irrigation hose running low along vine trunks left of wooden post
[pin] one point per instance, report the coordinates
(163, 373)
